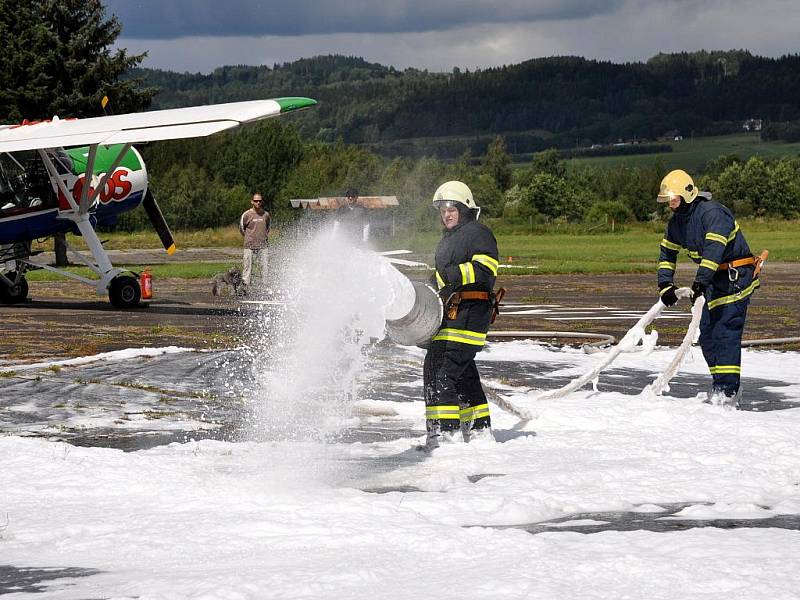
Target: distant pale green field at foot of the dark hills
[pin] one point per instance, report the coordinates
(691, 153)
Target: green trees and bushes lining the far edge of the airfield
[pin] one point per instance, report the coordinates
(207, 183)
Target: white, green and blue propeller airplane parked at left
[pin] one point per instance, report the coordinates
(44, 192)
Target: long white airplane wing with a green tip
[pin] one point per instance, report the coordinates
(175, 123)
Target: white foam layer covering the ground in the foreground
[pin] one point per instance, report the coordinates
(240, 520)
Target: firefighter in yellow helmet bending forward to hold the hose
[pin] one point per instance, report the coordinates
(727, 276)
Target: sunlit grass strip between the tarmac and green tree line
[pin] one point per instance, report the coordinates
(633, 251)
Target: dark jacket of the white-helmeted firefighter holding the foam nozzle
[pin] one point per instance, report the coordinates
(466, 260)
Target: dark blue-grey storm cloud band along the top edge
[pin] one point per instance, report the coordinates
(169, 19)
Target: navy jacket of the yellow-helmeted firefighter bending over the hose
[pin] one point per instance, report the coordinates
(708, 232)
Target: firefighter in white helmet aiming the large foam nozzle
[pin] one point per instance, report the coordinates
(466, 267)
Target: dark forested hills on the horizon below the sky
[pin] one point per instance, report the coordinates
(540, 103)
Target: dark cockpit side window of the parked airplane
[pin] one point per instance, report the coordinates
(24, 184)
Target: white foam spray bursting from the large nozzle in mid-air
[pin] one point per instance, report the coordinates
(312, 349)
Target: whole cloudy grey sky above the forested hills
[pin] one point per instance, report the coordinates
(199, 35)
